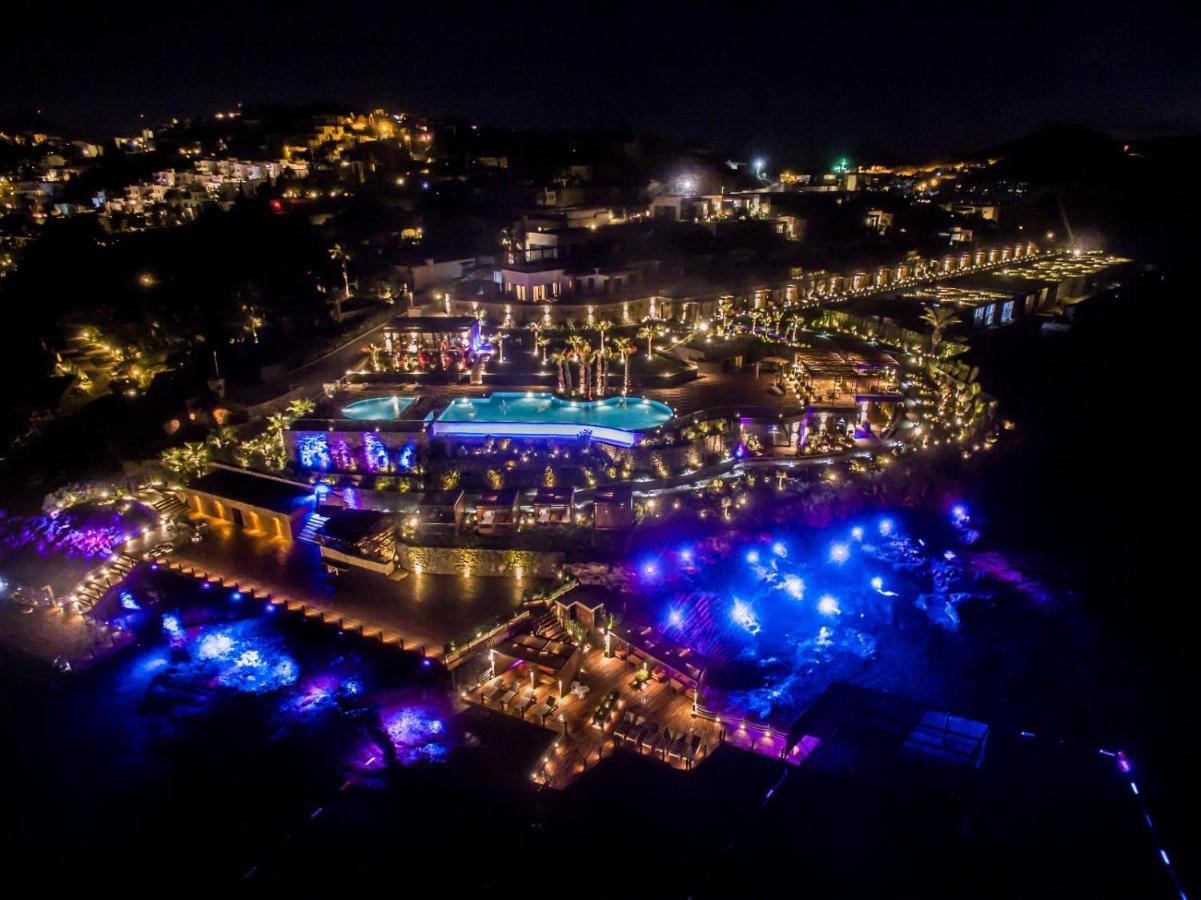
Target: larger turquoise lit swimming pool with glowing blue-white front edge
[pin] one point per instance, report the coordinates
(617, 420)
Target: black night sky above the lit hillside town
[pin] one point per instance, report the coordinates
(793, 82)
